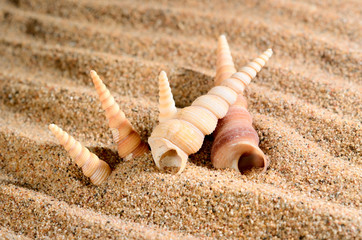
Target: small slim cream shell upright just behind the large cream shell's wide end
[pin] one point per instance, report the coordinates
(166, 103)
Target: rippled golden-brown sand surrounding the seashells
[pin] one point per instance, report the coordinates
(306, 104)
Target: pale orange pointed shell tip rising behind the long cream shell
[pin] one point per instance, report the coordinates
(224, 64)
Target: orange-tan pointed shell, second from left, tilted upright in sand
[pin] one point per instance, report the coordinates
(127, 139)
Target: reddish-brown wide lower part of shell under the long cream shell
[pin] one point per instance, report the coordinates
(236, 141)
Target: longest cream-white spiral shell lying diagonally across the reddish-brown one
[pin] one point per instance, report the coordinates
(172, 141)
